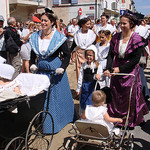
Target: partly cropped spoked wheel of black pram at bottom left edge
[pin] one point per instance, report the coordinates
(17, 143)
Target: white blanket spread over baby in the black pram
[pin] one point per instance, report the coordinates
(29, 84)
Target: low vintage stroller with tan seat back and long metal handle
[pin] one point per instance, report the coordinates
(94, 134)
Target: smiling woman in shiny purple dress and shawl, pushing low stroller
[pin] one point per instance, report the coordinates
(124, 56)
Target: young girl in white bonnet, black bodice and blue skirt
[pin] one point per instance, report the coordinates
(90, 72)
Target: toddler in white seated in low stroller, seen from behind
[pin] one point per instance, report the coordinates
(98, 112)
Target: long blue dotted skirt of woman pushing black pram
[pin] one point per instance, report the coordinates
(61, 105)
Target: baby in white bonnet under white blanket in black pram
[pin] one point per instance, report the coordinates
(23, 84)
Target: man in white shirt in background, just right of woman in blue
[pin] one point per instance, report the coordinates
(72, 30)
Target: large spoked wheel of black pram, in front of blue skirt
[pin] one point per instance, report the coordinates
(40, 132)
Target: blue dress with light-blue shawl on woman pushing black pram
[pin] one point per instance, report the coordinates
(61, 105)
